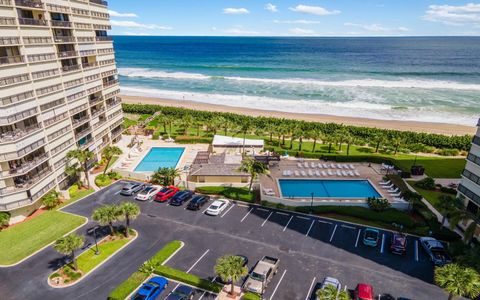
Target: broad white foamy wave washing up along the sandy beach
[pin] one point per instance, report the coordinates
(357, 108)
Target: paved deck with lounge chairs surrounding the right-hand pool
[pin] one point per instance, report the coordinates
(370, 172)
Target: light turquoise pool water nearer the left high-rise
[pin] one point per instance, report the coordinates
(160, 158)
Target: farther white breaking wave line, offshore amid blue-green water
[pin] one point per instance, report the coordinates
(368, 82)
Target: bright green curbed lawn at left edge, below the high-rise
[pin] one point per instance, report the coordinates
(21, 240)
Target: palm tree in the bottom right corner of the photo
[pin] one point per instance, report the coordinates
(458, 281)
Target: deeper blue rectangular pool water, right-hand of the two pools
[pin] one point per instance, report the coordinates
(327, 188)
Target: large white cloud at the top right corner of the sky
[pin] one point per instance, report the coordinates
(454, 15)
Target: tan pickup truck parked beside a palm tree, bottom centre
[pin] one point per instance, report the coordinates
(261, 275)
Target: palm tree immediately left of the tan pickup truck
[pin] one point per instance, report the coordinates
(231, 269)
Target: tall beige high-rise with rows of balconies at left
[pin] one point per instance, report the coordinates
(58, 92)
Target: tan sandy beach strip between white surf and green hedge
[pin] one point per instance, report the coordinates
(416, 126)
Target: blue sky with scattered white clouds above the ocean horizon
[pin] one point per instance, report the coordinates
(295, 18)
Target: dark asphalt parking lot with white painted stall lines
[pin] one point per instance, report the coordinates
(309, 248)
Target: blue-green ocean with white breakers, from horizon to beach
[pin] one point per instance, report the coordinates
(432, 79)
